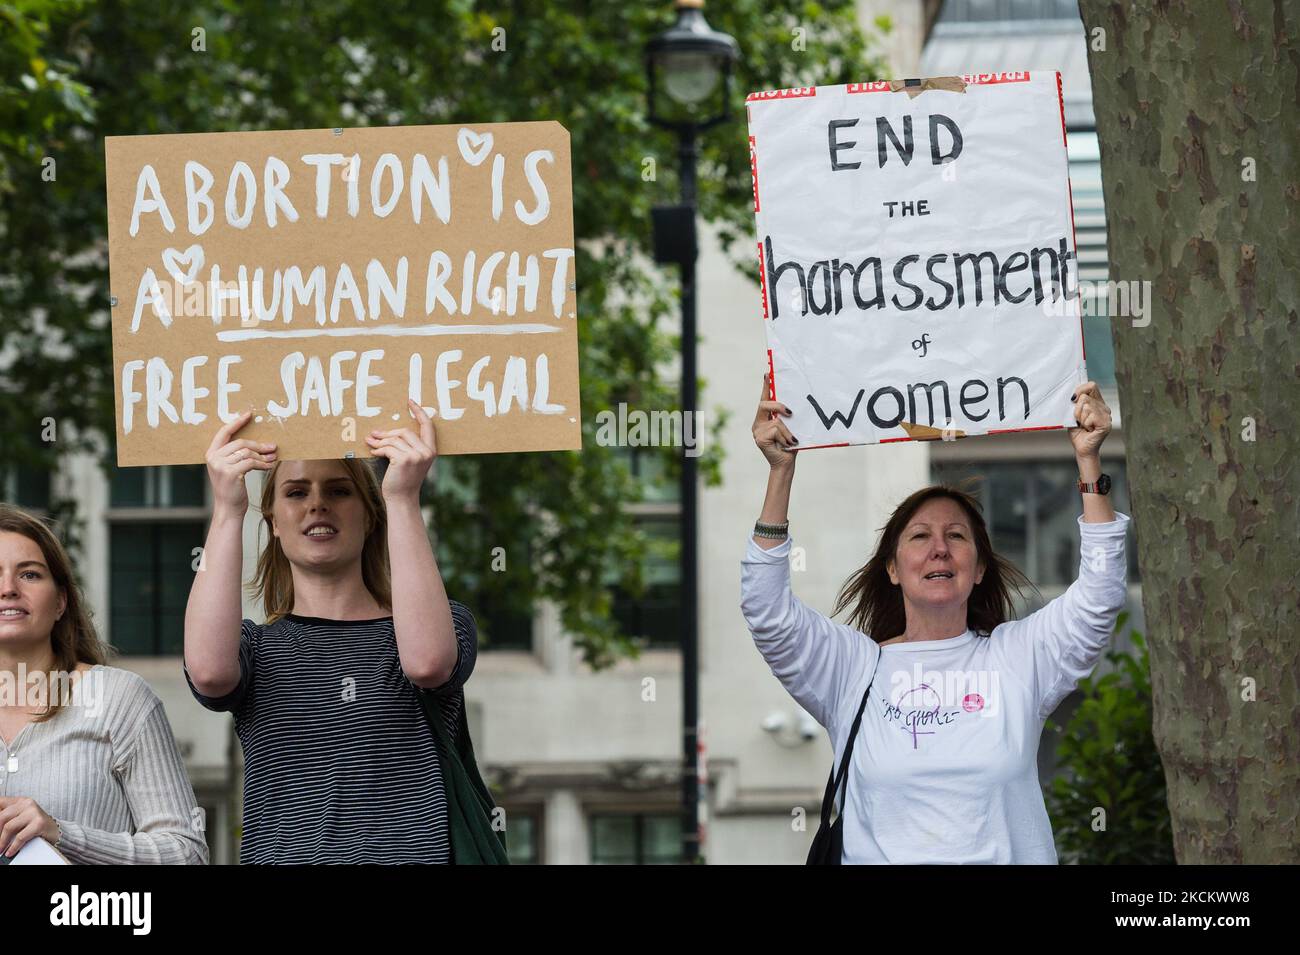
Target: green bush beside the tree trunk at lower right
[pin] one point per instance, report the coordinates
(1108, 759)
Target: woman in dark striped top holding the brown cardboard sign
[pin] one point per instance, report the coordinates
(348, 701)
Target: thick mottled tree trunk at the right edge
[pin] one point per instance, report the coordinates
(1198, 112)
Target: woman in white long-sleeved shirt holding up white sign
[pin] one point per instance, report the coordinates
(933, 696)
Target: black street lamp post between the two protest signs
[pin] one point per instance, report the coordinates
(691, 64)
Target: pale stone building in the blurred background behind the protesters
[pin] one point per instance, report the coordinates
(588, 763)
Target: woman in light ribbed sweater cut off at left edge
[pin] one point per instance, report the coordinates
(88, 761)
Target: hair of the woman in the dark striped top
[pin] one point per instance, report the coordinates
(274, 580)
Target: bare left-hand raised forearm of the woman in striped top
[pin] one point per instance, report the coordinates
(213, 615)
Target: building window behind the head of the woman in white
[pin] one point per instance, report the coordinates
(1032, 510)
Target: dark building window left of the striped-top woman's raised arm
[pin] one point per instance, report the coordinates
(158, 522)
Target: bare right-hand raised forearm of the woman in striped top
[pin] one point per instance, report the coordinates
(422, 614)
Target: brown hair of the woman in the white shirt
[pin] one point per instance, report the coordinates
(876, 602)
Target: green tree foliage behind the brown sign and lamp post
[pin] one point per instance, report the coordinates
(76, 72)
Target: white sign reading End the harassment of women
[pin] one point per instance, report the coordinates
(917, 258)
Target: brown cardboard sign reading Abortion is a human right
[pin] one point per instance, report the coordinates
(322, 277)
